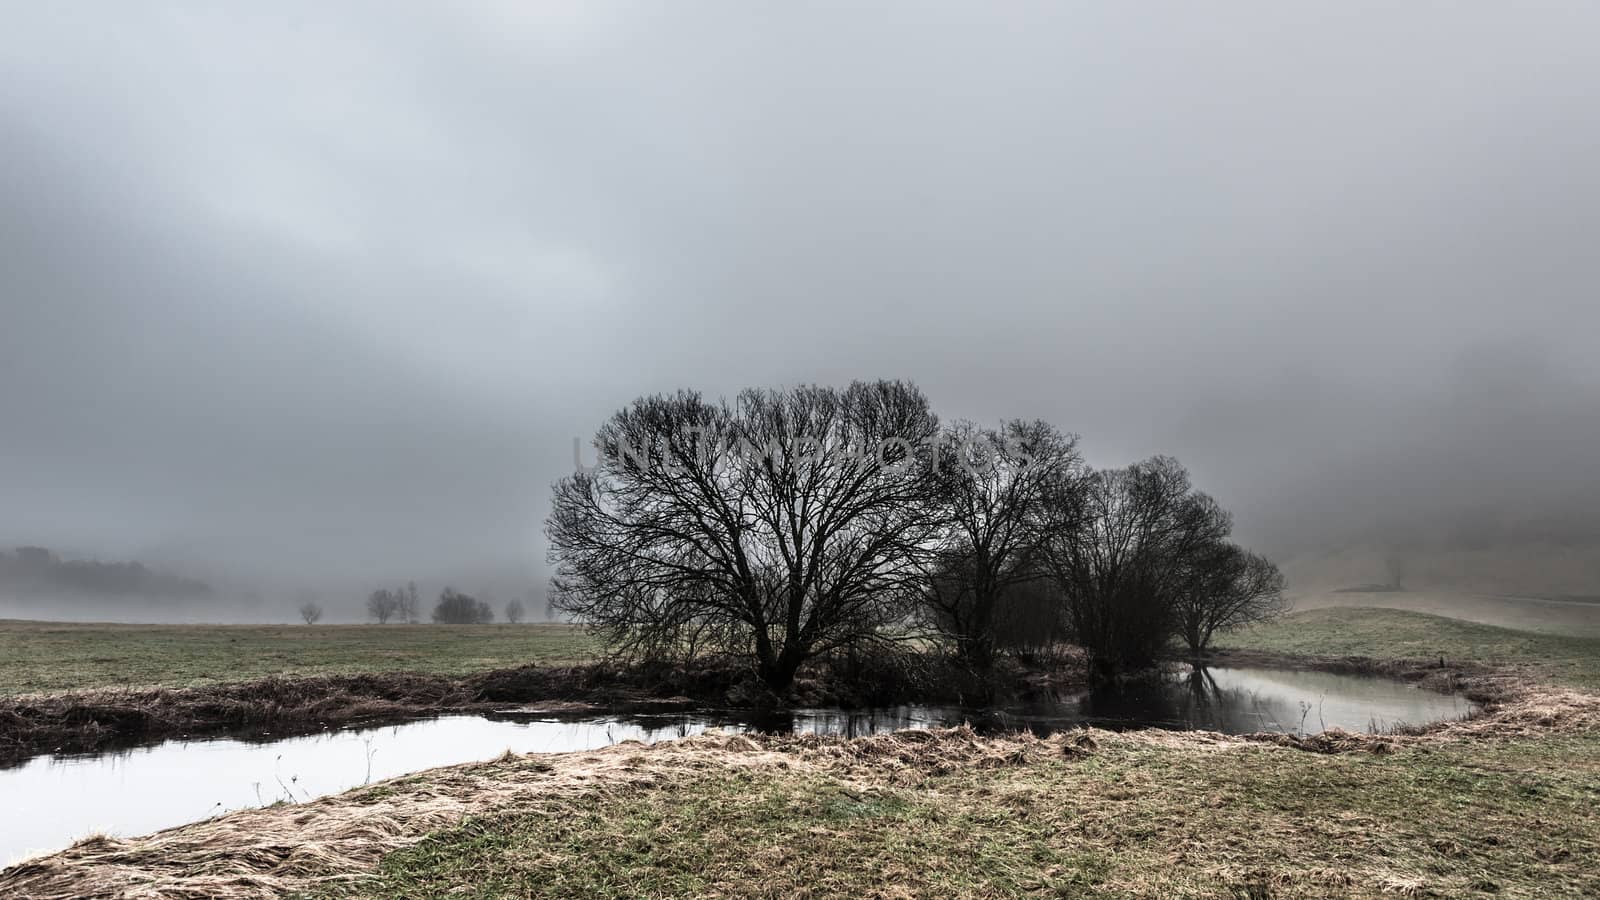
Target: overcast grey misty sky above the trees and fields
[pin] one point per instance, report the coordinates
(332, 287)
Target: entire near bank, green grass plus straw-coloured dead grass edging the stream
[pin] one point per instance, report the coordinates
(1505, 803)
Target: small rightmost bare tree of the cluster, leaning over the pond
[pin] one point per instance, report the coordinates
(1223, 589)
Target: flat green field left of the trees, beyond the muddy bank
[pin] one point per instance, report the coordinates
(52, 657)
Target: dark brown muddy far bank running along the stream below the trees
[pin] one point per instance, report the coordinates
(286, 707)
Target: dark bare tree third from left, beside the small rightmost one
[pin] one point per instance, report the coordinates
(1121, 555)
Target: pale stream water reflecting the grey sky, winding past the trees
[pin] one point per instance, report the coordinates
(52, 802)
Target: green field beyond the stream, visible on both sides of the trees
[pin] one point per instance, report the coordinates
(52, 657)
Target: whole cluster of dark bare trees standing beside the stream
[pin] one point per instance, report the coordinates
(788, 524)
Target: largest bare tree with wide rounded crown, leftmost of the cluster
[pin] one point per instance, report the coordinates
(780, 528)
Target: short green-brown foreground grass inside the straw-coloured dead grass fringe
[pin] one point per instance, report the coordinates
(1135, 816)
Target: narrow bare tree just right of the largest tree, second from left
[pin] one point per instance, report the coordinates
(994, 491)
